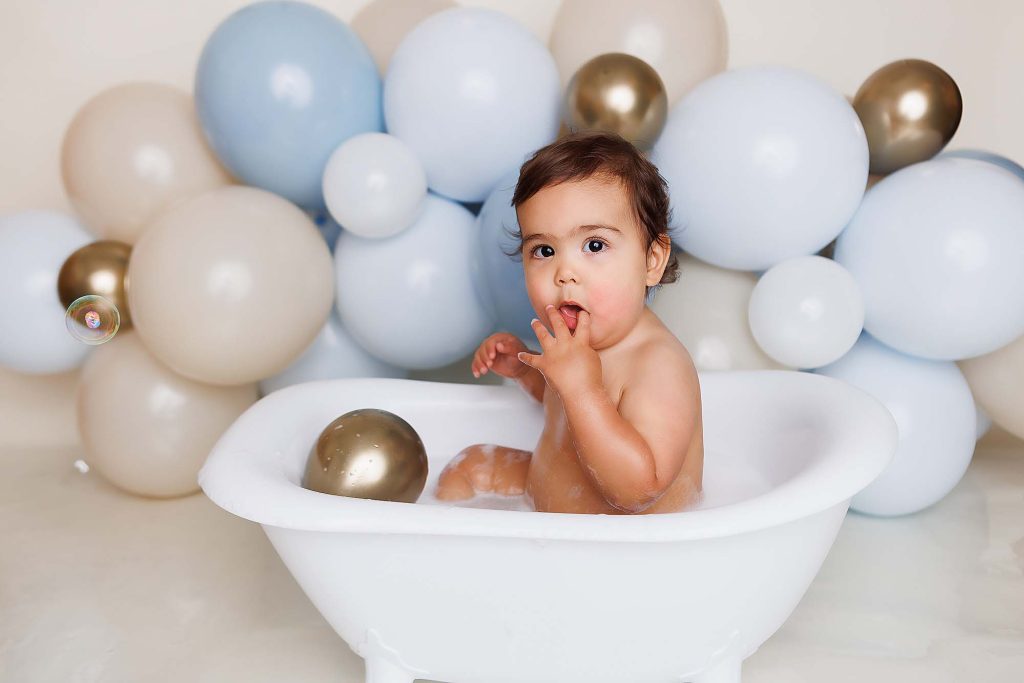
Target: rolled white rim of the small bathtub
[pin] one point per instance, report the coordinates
(242, 480)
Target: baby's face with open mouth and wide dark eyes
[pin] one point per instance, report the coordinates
(582, 243)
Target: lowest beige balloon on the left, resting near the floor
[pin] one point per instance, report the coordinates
(145, 429)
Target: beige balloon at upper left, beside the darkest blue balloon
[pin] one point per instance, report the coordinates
(132, 152)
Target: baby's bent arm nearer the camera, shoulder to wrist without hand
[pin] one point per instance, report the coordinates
(634, 454)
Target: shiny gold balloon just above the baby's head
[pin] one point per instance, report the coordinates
(619, 94)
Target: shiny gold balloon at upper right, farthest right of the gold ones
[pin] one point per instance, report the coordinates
(911, 110)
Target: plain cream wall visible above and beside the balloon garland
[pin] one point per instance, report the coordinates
(56, 55)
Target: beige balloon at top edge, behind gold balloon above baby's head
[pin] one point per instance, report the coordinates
(686, 41)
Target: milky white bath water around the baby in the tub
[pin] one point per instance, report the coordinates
(727, 481)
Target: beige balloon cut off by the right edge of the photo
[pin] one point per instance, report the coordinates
(997, 380)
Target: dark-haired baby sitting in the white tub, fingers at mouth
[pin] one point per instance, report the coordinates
(623, 429)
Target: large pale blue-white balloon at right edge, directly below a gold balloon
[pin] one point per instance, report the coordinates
(937, 249)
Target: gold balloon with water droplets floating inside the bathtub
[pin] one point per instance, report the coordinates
(369, 453)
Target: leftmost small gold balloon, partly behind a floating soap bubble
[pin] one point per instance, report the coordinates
(98, 269)
